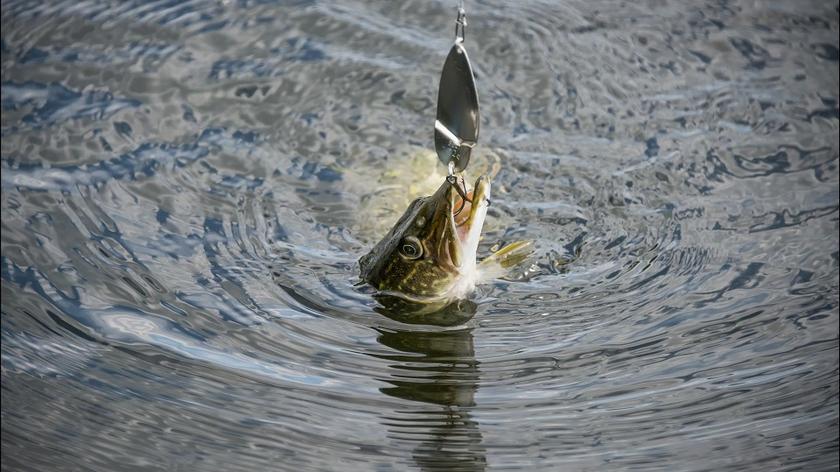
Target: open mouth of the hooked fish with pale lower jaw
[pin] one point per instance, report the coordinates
(467, 211)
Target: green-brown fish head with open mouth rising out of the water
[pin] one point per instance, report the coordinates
(429, 256)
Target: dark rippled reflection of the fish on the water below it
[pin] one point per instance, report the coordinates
(436, 367)
